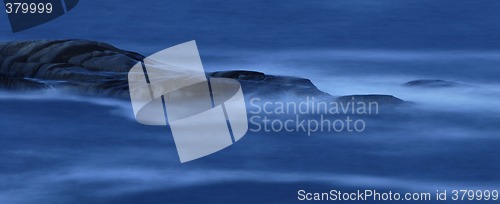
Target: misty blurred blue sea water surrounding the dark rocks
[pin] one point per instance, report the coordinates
(59, 148)
